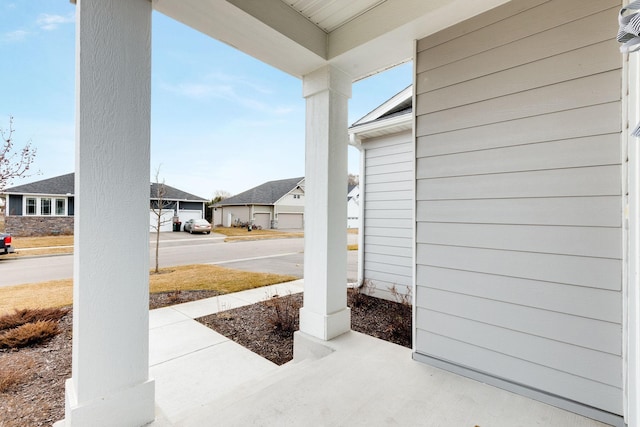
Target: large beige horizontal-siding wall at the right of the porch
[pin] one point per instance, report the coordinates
(518, 201)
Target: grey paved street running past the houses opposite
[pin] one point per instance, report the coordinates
(283, 256)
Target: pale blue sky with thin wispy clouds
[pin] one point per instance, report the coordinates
(220, 120)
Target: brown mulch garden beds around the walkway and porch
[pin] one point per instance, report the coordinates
(37, 396)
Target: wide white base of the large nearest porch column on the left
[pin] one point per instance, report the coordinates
(134, 406)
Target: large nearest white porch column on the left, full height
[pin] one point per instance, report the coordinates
(110, 383)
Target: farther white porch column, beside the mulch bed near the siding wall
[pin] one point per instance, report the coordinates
(325, 314)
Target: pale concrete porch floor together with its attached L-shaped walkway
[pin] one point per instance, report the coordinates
(205, 379)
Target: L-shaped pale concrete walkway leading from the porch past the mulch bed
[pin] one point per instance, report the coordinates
(194, 365)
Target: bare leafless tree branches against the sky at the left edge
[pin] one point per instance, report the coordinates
(14, 164)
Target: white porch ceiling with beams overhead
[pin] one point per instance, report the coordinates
(361, 37)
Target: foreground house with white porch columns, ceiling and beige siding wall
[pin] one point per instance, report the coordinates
(526, 217)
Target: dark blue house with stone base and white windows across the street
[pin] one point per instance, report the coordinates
(47, 207)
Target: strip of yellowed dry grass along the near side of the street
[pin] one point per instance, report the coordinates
(59, 293)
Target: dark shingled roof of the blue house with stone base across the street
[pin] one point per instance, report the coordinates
(64, 184)
